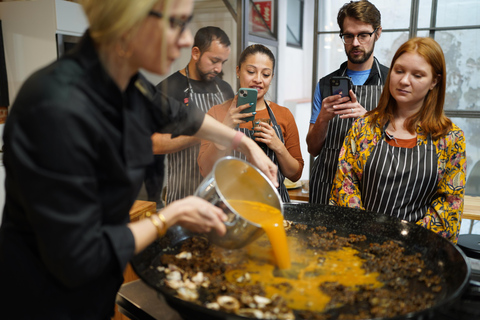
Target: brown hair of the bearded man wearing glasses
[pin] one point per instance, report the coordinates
(361, 10)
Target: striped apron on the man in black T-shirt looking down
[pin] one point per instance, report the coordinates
(183, 171)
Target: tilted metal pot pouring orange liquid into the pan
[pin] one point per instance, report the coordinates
(235, 179)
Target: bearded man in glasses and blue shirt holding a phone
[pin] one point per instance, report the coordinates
(332, 117)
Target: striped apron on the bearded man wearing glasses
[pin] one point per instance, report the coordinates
(325, 165)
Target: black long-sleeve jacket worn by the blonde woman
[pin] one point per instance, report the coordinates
(75, 149)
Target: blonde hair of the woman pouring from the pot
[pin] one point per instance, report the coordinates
(110, 20)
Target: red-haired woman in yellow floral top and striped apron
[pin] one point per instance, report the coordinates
(406, 158)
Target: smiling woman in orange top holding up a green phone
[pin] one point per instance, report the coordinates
(274, 127)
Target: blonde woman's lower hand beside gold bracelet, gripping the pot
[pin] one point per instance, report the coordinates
(195, 214)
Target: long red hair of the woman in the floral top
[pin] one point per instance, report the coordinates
(430, 116)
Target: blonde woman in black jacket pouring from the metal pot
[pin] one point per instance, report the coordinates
(76, 145)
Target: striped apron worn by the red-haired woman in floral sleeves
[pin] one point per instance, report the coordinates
(400, 182)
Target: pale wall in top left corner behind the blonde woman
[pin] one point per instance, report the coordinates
(29, 29)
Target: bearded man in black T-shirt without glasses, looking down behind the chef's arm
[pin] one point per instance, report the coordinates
(198, 84)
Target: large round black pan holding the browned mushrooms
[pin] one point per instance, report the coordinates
(440, 255)
